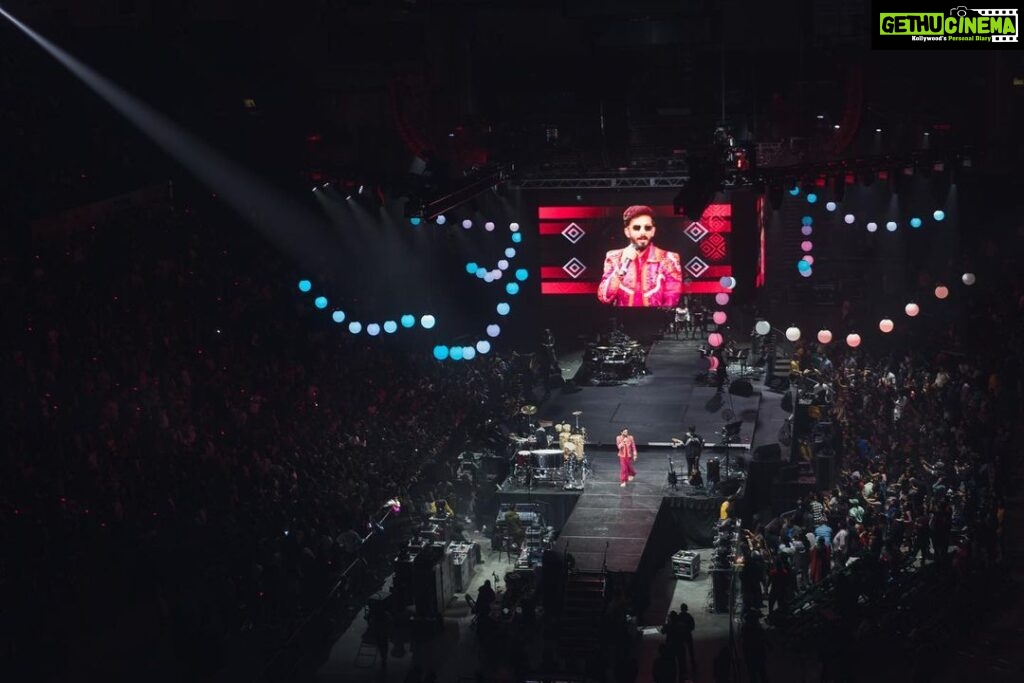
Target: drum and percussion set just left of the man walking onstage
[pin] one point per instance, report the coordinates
(567, 465)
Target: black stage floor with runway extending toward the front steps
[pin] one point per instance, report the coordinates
(656, 408)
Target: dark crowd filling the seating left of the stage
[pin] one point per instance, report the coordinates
(191, 449)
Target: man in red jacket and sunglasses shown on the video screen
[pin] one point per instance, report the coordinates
(642, 275)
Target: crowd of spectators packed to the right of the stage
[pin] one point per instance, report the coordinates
(925, 443)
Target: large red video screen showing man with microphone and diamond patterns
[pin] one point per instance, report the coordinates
(633, 254)
